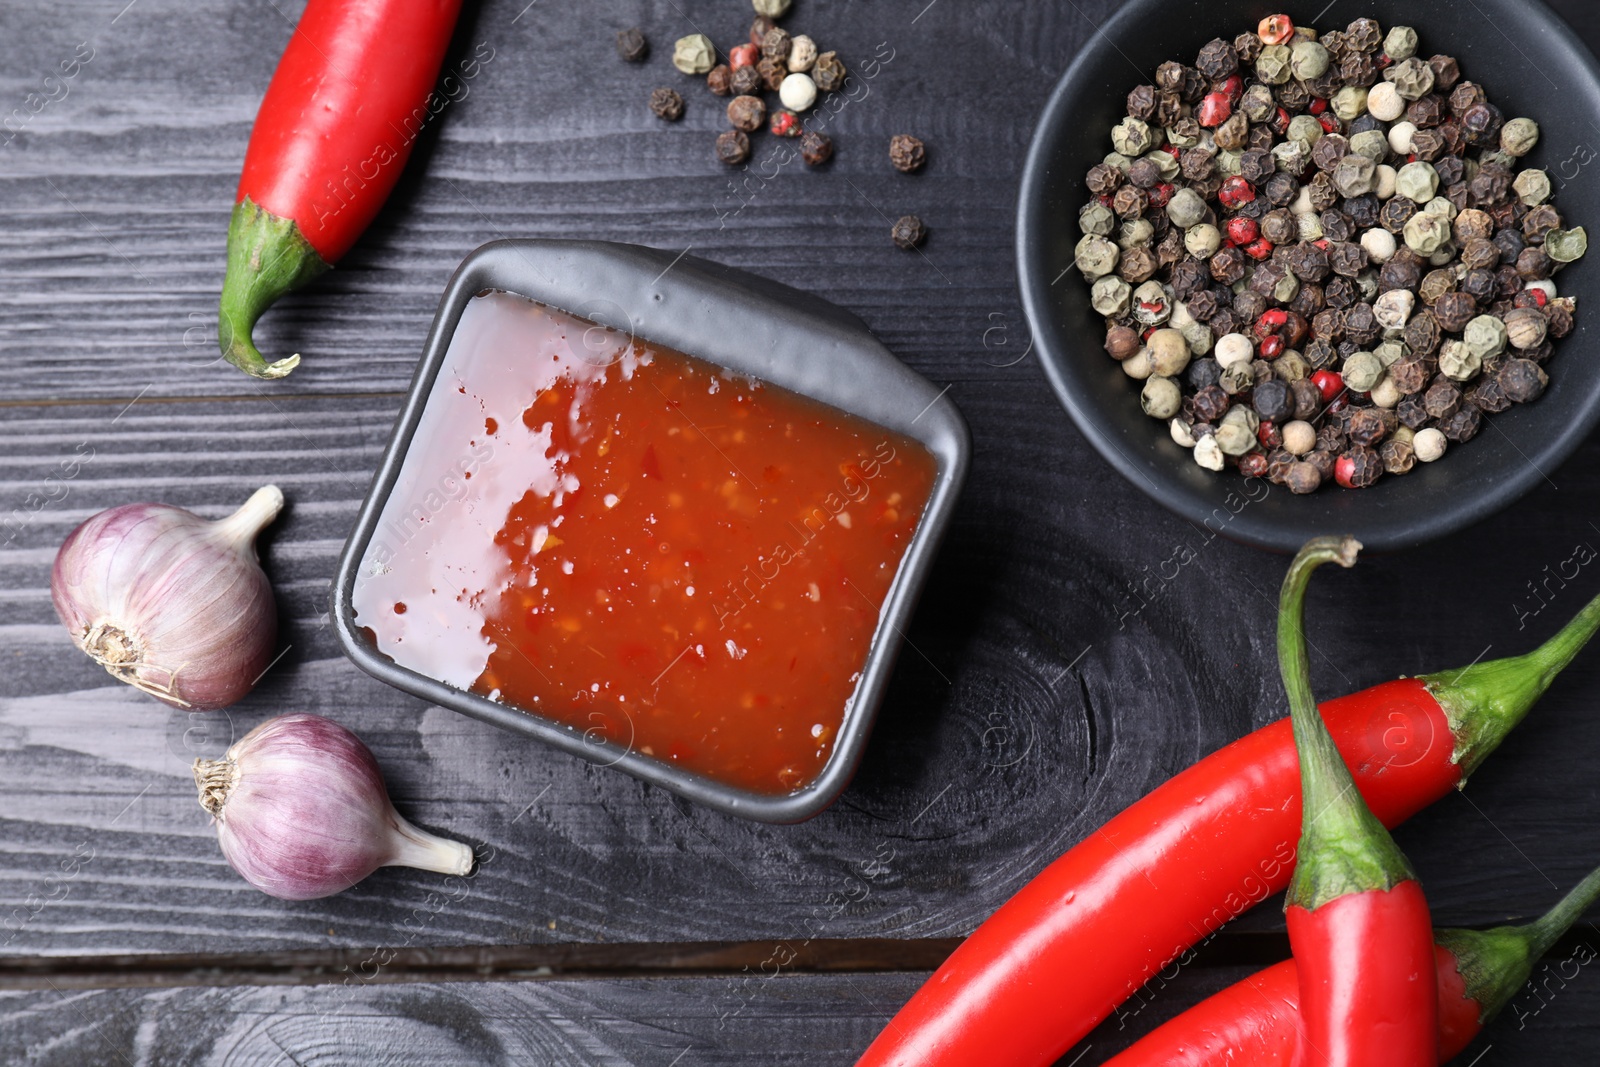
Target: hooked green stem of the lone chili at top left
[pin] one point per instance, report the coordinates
(266, 258)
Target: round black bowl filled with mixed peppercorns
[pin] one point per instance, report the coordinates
(1319, 278)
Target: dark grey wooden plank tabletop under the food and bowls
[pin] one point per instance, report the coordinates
(612, 924)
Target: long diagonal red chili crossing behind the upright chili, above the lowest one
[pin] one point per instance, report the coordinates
(1206, 847)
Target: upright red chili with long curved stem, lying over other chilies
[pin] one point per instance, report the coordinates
(1359, 922)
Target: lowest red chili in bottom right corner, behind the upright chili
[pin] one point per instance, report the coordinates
(1258, 1023)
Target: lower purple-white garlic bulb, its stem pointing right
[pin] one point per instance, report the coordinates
(302, 812)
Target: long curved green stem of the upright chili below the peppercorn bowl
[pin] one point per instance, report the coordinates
(1343, 845)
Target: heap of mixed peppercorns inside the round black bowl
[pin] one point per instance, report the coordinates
(1321, 257)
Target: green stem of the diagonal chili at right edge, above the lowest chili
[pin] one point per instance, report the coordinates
(1487, 700)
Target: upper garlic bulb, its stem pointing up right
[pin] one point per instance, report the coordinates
(169, 602)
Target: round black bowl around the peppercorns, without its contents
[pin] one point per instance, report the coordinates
(1530, 63)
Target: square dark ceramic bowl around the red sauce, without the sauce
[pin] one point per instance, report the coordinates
(745, 324)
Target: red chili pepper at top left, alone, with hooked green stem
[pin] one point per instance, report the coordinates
(330, 140)
